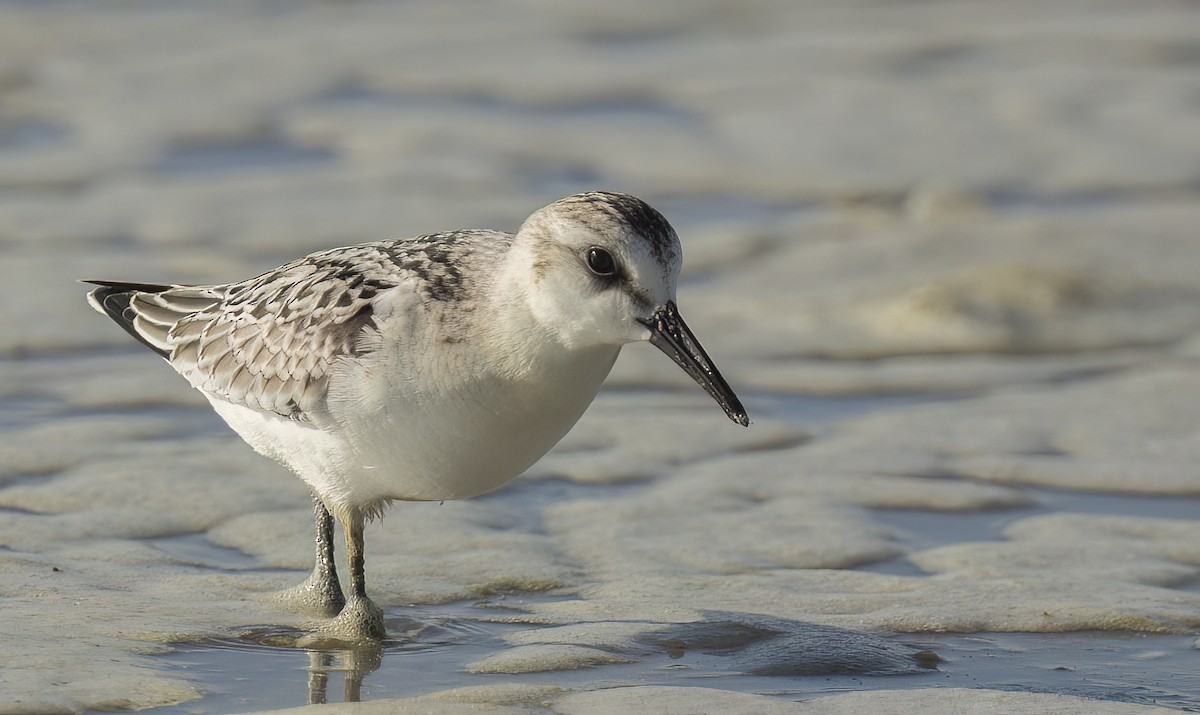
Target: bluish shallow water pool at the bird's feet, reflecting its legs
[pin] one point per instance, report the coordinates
(244, 675)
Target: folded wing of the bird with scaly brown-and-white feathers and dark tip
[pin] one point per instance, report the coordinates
(267, 344)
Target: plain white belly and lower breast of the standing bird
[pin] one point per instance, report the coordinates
(389, 440)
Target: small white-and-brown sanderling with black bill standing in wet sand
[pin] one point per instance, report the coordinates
(427, 369)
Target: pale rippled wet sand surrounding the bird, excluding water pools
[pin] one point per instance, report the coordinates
(988, 201)
